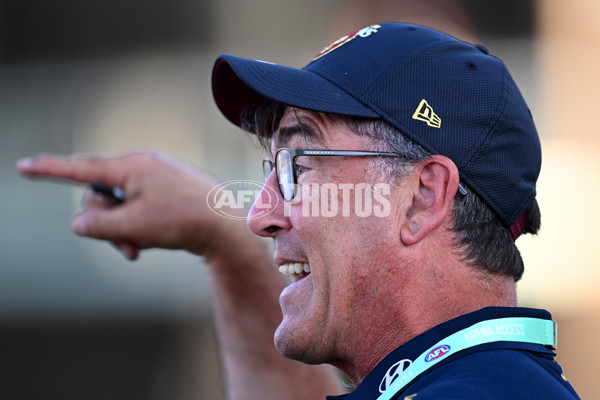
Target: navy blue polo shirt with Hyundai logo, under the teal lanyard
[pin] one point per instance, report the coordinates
(501, 370)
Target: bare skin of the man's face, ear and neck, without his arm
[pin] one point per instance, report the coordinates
(348, 312)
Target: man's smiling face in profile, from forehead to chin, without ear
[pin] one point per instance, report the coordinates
(327, 311)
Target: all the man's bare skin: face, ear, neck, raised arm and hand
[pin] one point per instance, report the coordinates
(375, 282)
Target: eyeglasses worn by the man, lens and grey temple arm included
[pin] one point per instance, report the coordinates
(285, 166)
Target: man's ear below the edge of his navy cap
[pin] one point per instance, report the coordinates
(434, 185)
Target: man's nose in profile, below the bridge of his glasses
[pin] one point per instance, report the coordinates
(266, 216)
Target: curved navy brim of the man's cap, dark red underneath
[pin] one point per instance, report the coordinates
(238, 82)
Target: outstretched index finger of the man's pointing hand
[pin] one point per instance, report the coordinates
(74, 168)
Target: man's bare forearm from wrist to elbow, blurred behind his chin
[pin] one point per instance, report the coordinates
(246, 288)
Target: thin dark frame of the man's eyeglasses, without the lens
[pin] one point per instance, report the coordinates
(269, 165)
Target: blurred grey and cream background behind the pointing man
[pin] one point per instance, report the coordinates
(110, 76)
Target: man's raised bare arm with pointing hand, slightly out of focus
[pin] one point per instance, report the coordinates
(166, 207)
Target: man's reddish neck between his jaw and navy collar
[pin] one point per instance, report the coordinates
(429, 297)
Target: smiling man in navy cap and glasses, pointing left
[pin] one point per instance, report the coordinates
(418, 159)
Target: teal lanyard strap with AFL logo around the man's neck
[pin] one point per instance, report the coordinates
(526, 330)
